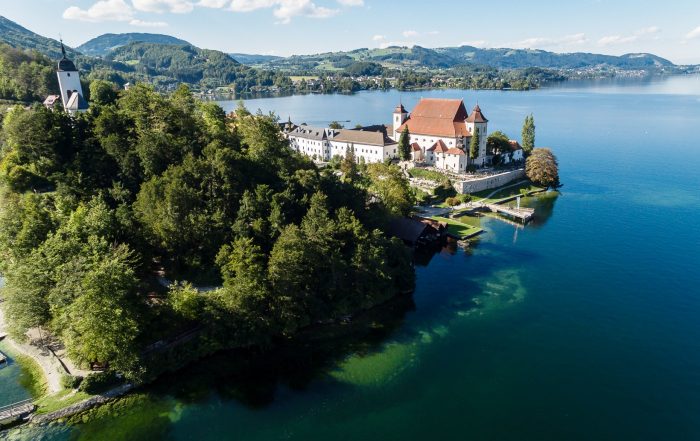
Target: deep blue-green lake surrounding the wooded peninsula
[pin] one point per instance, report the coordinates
(585, 325)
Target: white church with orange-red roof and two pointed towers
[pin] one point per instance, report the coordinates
(442, 129)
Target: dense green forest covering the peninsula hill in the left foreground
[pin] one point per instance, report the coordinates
(110, 219)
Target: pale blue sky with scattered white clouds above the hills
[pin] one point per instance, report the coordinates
(286, 27)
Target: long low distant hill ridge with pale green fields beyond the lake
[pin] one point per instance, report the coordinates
(447, 57)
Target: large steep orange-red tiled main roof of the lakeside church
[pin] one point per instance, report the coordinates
(438, 117)
